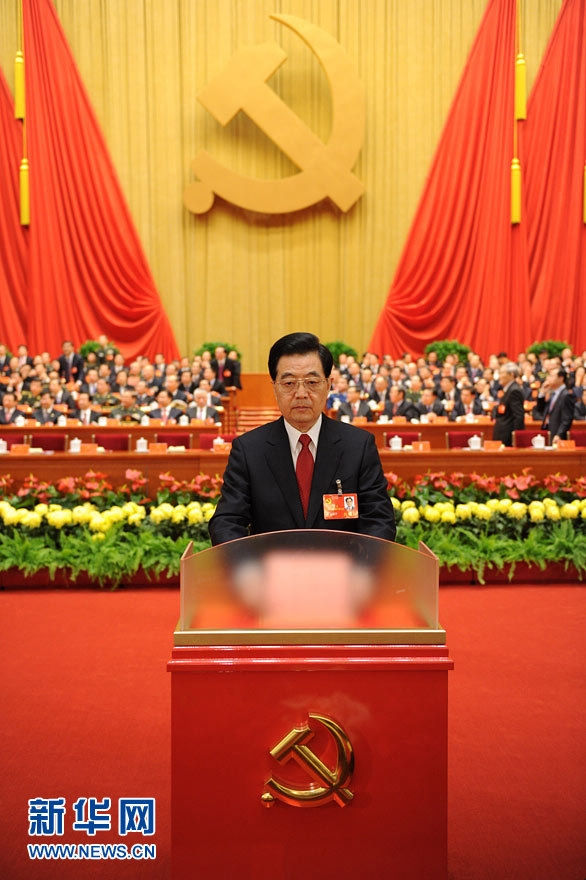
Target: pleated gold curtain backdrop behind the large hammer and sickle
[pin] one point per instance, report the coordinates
(244, 277)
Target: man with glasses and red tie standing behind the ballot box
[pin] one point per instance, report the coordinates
(278, 474)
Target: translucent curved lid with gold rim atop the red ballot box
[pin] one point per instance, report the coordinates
(309, 587)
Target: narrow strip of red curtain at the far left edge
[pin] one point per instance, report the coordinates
(13, 237)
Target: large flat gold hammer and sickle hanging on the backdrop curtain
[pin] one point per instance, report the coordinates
(325, 168)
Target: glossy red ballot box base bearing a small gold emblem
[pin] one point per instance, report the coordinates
(359, 742)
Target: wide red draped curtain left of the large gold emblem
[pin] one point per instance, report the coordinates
(88, 274)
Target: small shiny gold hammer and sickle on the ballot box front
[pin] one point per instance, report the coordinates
(327, 785)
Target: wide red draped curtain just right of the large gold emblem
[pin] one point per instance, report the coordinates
(463, 272)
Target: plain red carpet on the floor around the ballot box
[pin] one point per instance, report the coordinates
(85, 705)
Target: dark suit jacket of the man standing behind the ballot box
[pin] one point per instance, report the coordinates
(260, 492)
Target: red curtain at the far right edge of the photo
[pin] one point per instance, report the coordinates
(555, 139)
